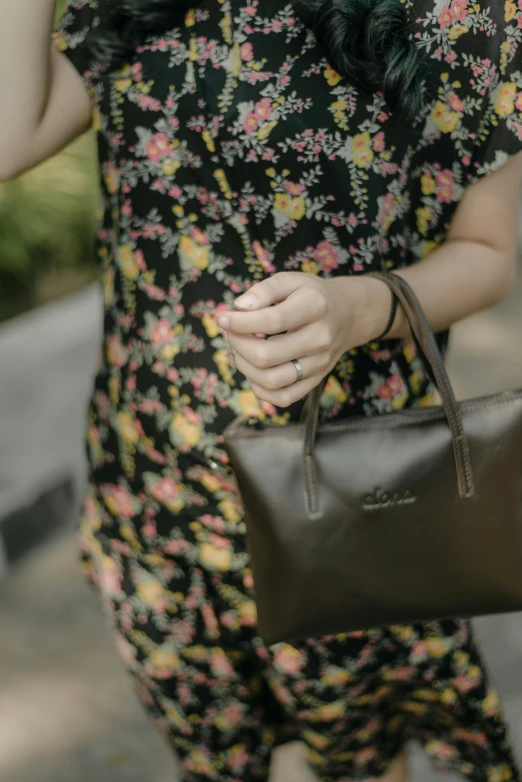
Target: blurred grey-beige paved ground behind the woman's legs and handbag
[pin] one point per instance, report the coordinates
(67, 712)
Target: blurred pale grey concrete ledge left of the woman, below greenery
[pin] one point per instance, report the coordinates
(47, 362)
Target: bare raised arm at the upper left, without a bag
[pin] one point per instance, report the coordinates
(43, 100)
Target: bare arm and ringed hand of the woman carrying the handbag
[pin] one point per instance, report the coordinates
(316, 320)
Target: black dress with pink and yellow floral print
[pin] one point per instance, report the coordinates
(231, 149)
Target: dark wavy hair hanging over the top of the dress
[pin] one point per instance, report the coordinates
(366, 40)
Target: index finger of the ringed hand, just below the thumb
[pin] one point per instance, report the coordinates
(306, 305)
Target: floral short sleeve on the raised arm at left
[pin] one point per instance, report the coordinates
(72, 37)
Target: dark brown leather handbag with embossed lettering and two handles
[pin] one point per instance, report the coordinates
(404, 517)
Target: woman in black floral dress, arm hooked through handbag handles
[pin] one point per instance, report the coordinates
(252, 172)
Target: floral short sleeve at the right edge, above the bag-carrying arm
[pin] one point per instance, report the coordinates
(496, 77)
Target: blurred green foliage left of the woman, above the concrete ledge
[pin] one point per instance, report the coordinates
(47, 226)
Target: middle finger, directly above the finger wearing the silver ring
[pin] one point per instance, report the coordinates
(312, 340)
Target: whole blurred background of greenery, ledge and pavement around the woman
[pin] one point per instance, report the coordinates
(67, 710)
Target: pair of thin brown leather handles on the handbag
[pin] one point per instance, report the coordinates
(424, 338)
